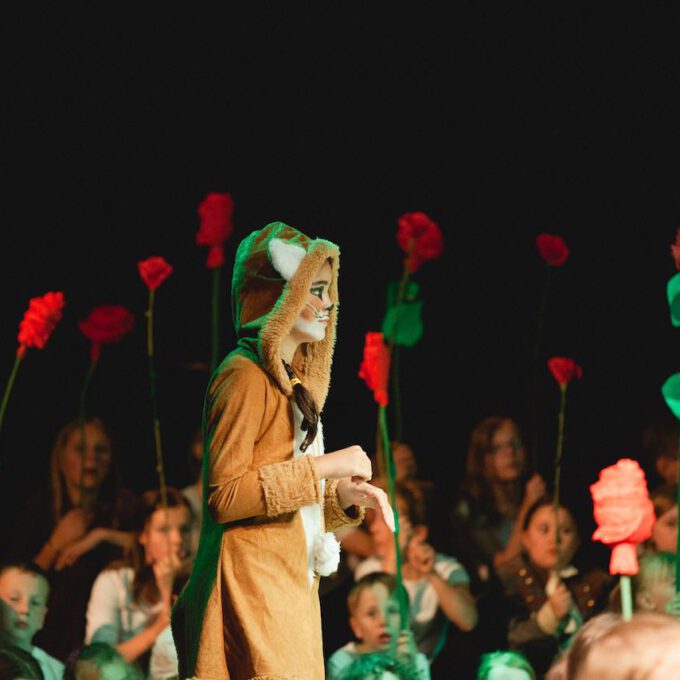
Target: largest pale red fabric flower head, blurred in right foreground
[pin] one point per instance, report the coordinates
(623, 512)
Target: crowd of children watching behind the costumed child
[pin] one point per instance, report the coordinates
(87, 586)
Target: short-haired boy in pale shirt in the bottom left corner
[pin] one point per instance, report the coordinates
(24, 590)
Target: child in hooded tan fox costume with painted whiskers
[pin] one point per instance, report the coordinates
(251, 608)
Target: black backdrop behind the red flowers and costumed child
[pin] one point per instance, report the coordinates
(500, 120)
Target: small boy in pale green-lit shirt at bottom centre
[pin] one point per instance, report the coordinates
(373, 607)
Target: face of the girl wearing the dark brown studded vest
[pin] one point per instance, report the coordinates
(540, 538)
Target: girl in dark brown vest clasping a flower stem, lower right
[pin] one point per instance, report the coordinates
(551, 598)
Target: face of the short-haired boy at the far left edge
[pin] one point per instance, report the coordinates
(23, 604)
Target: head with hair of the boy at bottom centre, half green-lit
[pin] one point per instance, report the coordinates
(373, 606)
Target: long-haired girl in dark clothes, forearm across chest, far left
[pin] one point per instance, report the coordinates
(73, 528)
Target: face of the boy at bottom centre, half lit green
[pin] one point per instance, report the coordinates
(375, 620)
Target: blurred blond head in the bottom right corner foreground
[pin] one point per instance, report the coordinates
(645, 648)
